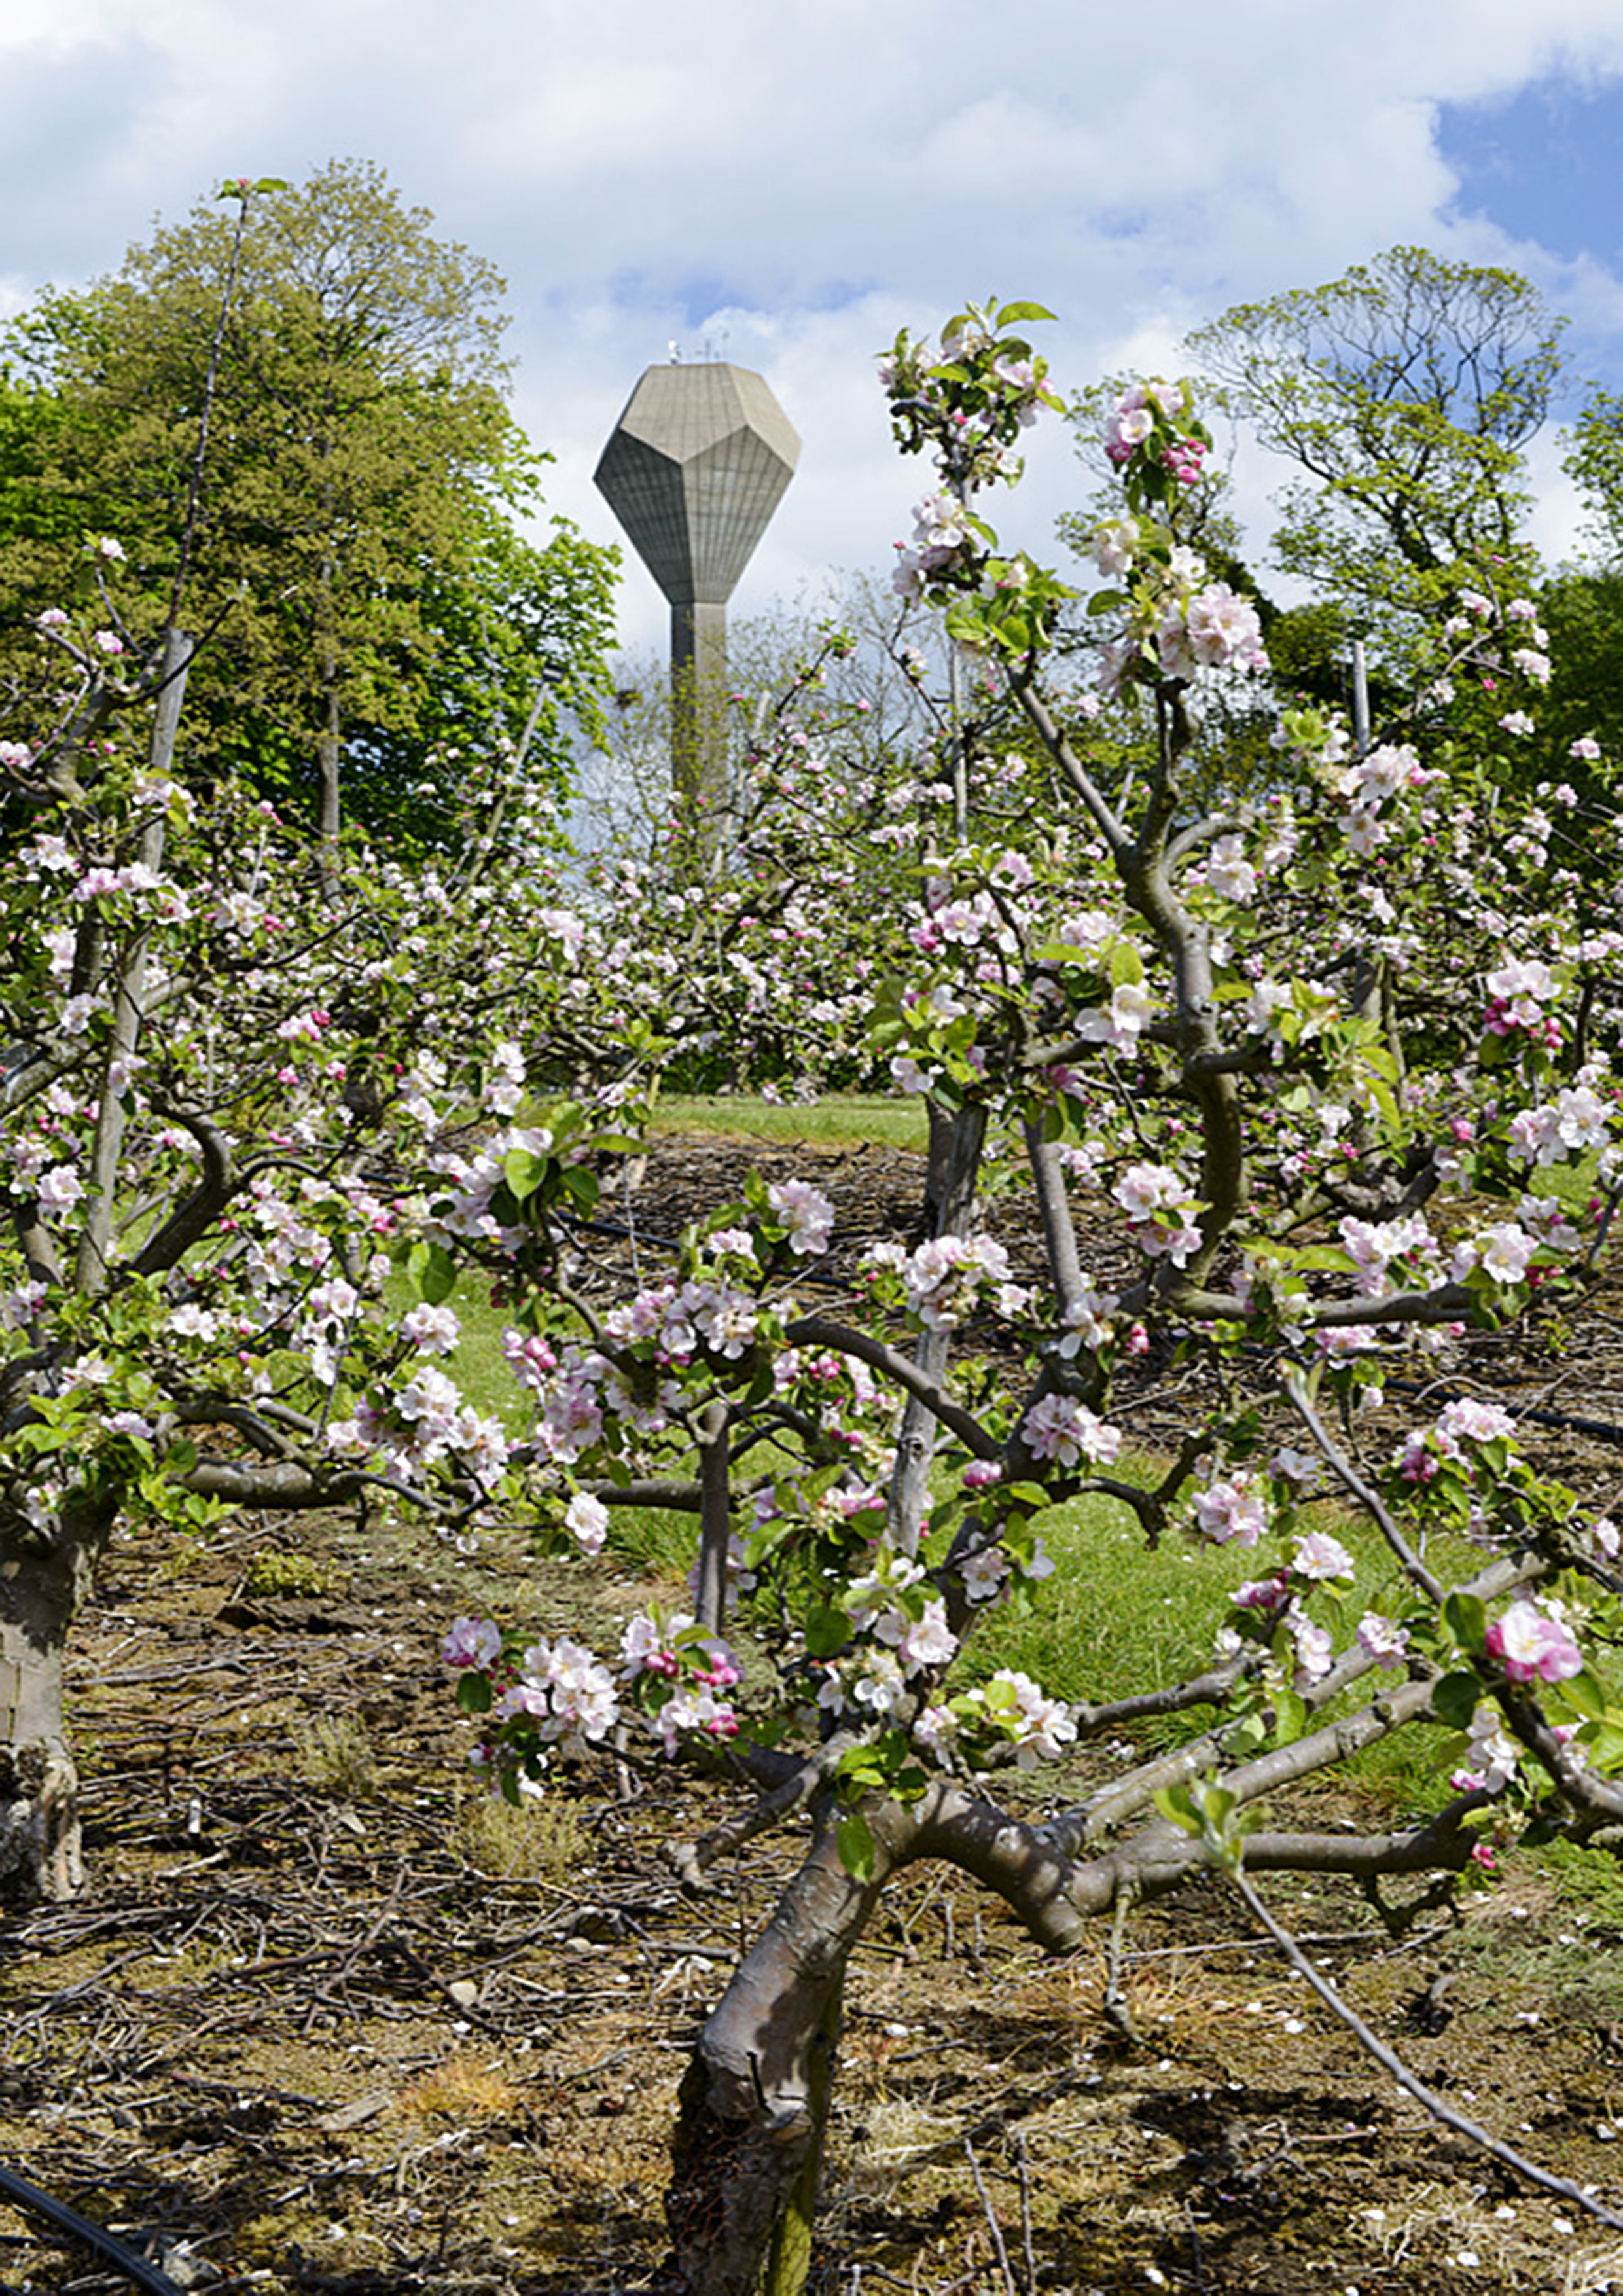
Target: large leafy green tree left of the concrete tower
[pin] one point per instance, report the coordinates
(366, 594)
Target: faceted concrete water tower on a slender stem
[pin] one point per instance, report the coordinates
(694, 472)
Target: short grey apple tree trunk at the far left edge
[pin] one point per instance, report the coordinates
(42, 1583)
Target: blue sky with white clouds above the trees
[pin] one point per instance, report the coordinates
(789, 185)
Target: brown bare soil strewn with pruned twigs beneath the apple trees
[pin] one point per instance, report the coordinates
(306, 2033)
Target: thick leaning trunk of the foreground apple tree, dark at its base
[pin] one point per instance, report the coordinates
(756, 2095)
